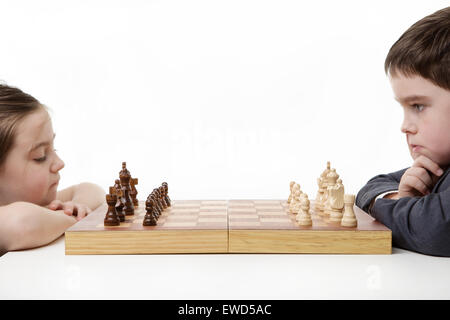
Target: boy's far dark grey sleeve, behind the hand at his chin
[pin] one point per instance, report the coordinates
(376, 186)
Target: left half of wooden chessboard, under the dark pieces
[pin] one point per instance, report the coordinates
(188, 226)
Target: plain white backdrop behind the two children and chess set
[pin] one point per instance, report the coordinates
(221, 99)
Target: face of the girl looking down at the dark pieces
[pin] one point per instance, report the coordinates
(31, 170)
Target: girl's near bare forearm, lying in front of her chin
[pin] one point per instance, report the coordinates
(26, 225)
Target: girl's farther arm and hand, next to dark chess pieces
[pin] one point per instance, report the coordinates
(88, 194)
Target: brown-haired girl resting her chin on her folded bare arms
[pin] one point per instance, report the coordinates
(32, 212)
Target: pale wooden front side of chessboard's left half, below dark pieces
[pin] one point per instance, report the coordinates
(158, 241)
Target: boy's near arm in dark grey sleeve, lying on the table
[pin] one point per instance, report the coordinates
(420, 224)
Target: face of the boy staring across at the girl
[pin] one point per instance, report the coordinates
(426, 122)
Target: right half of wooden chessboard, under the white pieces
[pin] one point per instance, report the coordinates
(266, 226)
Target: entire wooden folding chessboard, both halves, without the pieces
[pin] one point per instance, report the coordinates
(226, 226)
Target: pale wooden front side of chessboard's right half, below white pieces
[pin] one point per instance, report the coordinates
(307, 241)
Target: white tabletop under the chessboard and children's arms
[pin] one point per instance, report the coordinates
(47, 273)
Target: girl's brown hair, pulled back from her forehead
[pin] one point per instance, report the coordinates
(14, 106)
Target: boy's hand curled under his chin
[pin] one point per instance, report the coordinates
(420, 178)
